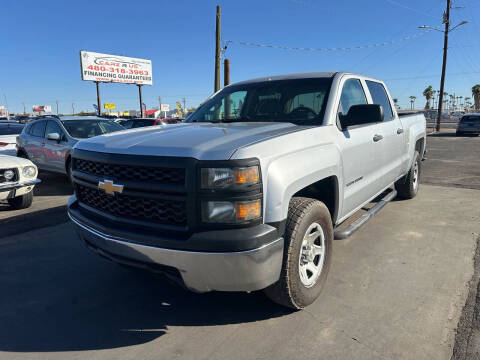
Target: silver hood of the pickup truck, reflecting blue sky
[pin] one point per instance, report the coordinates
(202, 141)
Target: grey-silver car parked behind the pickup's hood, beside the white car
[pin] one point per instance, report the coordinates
(48, 141)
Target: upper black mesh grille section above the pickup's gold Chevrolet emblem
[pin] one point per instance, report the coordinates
(155, 175)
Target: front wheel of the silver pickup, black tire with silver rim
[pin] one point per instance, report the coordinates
(293, 290)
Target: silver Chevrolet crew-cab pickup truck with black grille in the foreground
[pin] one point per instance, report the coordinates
(249, 193)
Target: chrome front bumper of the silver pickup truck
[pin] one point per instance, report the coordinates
(200, 271)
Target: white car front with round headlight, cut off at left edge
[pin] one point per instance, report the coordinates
(18, 177)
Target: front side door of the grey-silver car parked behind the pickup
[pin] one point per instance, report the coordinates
(55, 151)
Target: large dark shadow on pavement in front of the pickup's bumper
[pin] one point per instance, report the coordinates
(64, 298)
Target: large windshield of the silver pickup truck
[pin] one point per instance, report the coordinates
(298, 101)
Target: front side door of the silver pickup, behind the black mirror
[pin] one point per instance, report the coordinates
(359, 158)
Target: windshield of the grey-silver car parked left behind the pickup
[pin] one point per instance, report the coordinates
(83, 129)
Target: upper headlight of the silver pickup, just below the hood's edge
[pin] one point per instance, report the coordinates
(220, 178)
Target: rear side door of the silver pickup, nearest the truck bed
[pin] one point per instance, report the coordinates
(390, 149)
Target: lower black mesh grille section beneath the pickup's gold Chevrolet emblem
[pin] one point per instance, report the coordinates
(161, 211)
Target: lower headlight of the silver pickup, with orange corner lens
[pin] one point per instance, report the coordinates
(231, 212)
